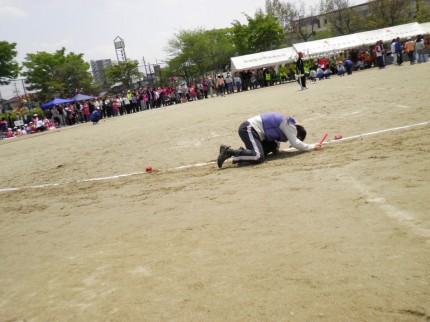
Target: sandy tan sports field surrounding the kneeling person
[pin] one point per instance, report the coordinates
(340, 234)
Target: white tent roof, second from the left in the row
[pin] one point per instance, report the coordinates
(328, 45)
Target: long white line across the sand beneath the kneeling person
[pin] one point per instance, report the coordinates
(198, 164)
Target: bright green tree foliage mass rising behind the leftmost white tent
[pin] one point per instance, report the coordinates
(194, 53)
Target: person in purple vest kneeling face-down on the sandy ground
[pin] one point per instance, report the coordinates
(262, 135)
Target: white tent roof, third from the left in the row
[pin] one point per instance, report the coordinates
(390, 33)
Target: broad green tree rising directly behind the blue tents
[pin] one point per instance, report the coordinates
(53, 75)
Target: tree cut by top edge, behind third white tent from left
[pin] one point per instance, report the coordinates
(385, 13)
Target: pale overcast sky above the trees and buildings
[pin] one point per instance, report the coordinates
(90, 26)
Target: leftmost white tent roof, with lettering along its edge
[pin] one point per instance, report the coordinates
(263, 59)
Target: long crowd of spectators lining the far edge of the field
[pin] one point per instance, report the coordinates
(146, 98)
